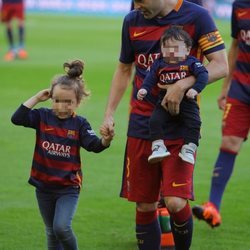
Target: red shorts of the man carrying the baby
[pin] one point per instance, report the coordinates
(143, 182)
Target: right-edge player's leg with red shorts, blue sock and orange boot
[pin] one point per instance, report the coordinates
(233, 135)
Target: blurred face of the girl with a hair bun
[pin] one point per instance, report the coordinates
(64, 102)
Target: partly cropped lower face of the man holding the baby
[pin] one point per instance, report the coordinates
(150, 8)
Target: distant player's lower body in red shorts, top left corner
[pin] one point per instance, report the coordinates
(10, 10)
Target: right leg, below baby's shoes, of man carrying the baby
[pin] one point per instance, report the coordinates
(178, 182)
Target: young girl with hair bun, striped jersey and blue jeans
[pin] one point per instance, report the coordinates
(56, 167)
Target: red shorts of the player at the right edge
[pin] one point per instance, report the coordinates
(236, 119)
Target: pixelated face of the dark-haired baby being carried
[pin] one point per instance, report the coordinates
(174, 51)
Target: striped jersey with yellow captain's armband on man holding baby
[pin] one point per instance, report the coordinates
(141, 46)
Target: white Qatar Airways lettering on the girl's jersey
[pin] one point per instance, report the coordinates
(56, 149)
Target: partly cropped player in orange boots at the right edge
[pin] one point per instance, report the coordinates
(235, 101)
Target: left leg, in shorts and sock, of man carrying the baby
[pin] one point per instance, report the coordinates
(141, 184)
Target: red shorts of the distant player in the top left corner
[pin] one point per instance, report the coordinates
(10, 11)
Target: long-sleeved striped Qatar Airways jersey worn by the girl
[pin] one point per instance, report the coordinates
(56, 160)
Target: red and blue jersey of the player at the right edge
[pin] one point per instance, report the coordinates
(240, 24)
